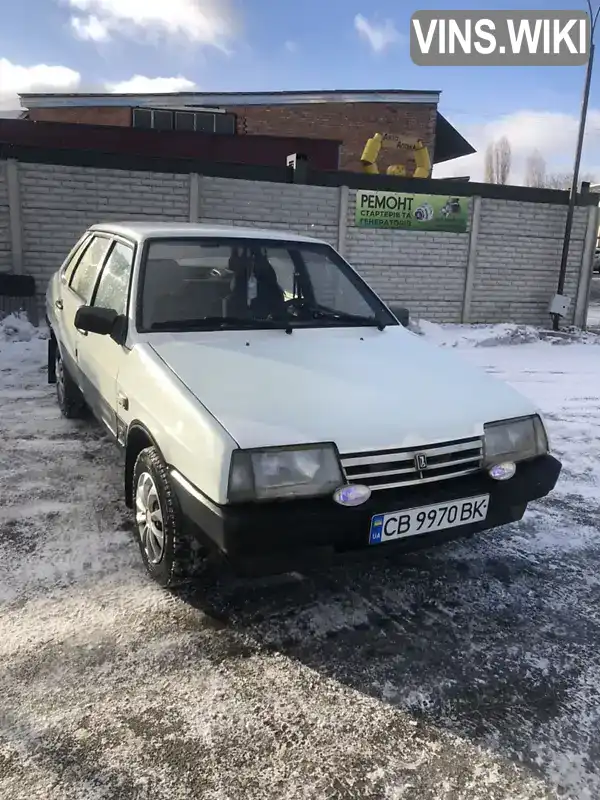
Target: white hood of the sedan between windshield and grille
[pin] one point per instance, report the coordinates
(361, 388)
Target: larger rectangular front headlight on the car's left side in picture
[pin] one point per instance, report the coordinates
(284, 473)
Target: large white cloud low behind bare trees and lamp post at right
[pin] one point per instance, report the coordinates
(553, 133)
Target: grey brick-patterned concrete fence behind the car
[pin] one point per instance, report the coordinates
(504, 268)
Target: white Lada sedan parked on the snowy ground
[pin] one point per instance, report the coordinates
(270, 405)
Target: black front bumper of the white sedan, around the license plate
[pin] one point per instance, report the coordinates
(289, 528)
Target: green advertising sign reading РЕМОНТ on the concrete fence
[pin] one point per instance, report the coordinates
(417, 212)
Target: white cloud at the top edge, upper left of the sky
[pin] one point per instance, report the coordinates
(210, 22)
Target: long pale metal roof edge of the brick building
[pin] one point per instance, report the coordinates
(171, 99)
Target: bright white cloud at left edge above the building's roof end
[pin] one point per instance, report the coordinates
(37, 78)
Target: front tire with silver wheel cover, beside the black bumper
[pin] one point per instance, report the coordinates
(166, 552)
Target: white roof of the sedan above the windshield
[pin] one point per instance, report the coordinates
(139, 231)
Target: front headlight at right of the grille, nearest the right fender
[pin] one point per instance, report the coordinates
(514, 440)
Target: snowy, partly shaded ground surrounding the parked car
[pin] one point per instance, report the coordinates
(469, 672)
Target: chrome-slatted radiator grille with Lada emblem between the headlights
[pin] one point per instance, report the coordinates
(388, 469)
